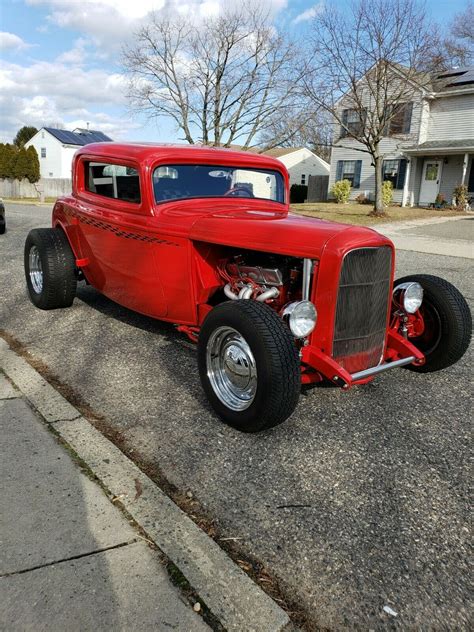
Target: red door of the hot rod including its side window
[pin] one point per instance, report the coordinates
(115, 236)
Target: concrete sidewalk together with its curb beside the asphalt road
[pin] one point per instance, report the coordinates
(69, 557)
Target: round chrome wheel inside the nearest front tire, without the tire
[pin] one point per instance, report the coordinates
(231, 368)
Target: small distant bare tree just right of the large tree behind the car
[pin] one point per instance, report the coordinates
(300, 128)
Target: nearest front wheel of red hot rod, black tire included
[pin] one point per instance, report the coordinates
(248, 365)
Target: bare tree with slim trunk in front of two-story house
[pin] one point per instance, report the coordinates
(363, 71)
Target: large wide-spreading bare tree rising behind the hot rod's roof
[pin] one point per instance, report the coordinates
(220, 80)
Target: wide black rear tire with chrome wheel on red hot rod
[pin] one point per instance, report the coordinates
(50, 268)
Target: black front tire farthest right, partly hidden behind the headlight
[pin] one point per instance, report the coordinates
(448, 323)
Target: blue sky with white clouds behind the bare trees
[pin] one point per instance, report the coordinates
(60, 59)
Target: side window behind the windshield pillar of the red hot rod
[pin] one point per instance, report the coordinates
(114, 181)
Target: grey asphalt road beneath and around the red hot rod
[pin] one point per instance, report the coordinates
(380, 474)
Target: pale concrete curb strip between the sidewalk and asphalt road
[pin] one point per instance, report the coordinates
(231, 596)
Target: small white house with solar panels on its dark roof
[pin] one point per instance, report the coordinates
(56, 148)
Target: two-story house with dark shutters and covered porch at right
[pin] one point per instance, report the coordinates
(428, 147)
